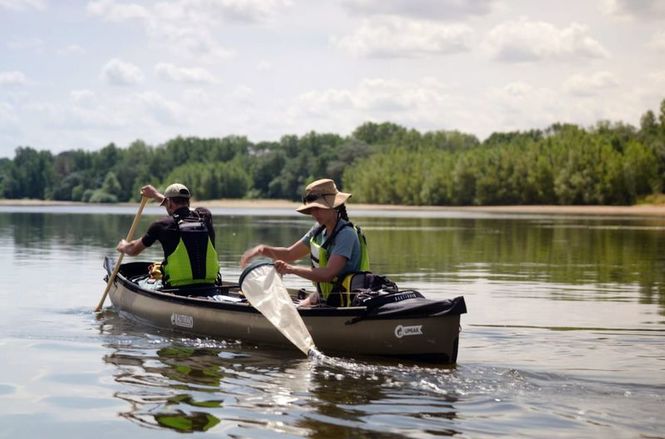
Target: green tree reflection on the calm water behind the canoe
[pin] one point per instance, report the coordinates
(616, 253)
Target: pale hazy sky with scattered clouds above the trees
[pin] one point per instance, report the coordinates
(82, 74)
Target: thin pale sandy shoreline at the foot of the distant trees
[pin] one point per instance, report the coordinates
(637, 210)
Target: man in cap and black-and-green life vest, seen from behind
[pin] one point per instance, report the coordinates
(187, 237)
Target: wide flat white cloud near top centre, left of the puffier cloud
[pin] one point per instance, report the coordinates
(390, 36)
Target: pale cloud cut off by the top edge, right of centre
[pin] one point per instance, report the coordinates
(430, 9)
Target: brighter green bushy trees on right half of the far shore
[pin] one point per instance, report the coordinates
(567, 165)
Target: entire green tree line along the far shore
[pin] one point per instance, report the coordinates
(608, 163)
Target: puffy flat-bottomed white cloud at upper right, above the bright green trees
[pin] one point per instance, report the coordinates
(524, 40)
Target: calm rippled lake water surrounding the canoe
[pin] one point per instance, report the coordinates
(564, 335)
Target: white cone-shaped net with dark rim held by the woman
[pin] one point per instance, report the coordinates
(264, 289)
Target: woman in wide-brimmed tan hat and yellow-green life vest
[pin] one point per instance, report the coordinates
(336, 247)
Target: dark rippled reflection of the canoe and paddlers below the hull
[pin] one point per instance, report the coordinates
(190, 384)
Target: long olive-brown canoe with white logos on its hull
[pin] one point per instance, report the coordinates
(407, 326)
